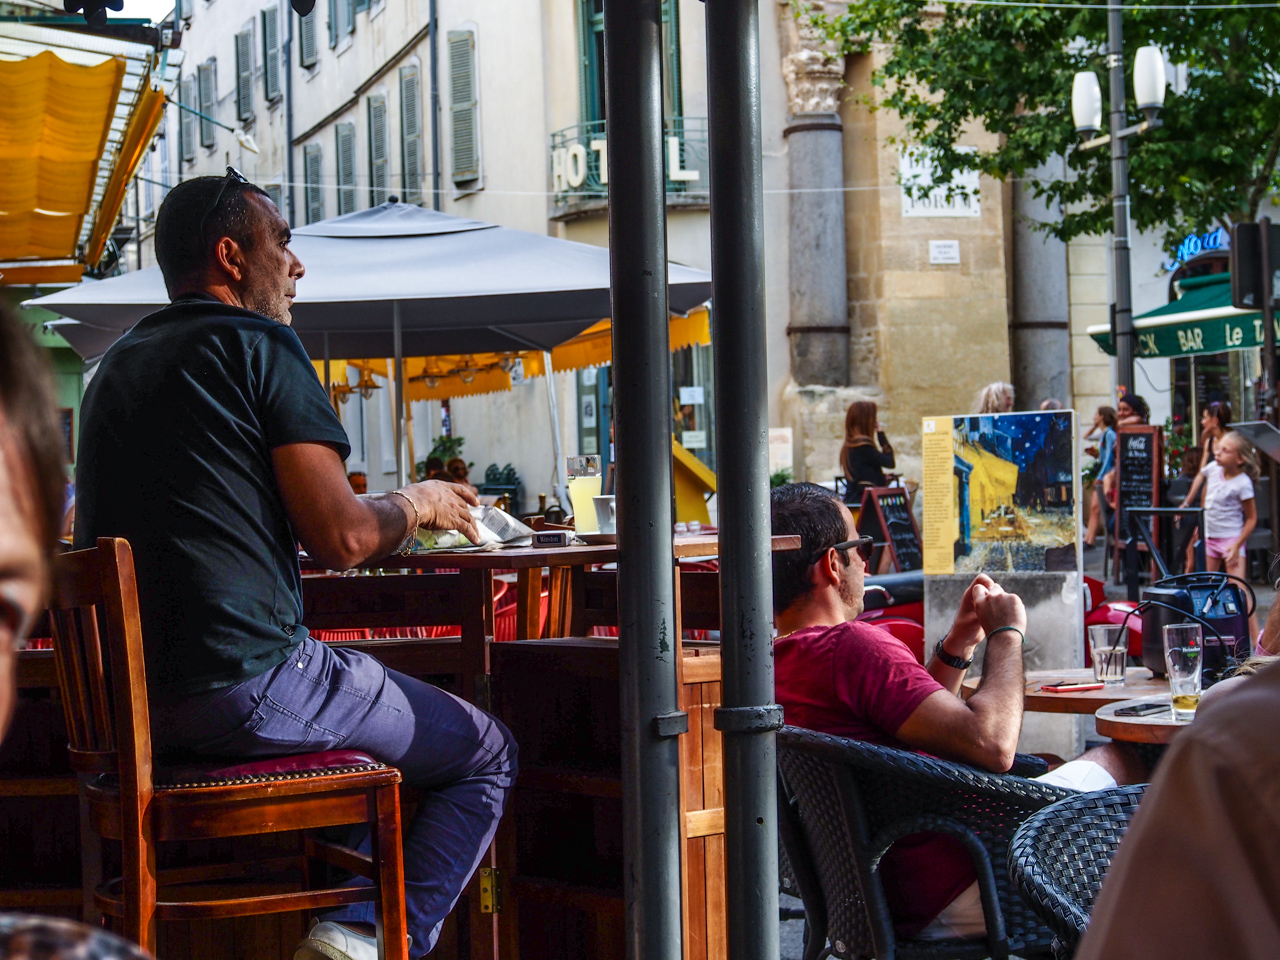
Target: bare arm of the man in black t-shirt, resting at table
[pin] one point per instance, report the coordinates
(340, 529)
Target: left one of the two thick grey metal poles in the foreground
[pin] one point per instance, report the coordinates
(648, 643)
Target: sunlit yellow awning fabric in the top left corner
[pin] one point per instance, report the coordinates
(54, 122)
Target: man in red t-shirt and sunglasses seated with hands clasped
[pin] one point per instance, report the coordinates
(852, 679)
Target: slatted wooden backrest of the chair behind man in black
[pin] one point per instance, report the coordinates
(98, 646)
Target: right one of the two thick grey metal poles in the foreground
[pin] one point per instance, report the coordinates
(749, 716)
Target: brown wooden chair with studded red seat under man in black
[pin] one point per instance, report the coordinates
(100, 666)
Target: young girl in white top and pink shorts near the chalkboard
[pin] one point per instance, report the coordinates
(1231, 513)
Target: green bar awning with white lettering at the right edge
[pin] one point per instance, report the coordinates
(1200, 322)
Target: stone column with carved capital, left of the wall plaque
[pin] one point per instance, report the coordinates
(819, 276)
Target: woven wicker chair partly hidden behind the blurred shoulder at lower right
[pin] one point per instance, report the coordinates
(1059, 857)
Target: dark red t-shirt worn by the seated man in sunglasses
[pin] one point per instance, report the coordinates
(860, 682)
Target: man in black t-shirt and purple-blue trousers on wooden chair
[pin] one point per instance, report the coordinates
(208, 442)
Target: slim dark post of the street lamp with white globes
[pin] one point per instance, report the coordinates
(1121, 204)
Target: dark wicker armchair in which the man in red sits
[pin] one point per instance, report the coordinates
(853, 801)
